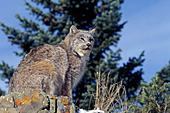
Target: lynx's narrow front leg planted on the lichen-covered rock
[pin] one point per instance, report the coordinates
(67, 89)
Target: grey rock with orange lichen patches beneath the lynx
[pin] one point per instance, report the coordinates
(35, 101)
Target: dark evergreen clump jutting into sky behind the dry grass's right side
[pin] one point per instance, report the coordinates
(131, 78)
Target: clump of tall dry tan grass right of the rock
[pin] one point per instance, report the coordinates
(108, 96)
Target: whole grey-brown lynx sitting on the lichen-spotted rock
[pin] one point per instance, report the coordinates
(55, 69)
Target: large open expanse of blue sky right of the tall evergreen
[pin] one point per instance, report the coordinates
(148, 29)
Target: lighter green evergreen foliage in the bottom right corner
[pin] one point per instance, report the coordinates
(154, 97)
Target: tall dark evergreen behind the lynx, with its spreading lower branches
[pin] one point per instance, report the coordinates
(51, 24)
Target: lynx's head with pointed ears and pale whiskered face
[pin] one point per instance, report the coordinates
(80, 42)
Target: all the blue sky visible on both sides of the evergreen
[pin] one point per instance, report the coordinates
(148, 29)
